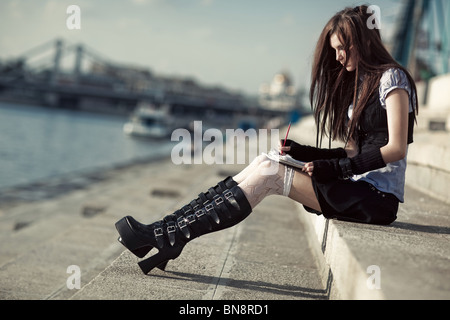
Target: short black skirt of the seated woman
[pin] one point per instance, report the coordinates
(356, 201)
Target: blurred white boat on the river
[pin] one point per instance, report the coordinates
(148, 122)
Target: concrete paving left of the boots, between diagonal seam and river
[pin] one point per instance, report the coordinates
(78, 228)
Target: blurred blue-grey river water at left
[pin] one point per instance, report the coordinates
(38, 143)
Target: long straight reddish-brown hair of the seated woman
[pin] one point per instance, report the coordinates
(333, 88)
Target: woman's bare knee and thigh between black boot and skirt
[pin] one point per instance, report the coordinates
(264, 177)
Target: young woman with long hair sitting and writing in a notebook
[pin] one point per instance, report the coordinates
(359, 95)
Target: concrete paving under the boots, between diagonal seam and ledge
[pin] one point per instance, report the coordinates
(266, 257)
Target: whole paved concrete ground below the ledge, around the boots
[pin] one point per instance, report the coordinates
(267, 257)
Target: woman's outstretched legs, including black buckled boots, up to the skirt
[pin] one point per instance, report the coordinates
(223, 206)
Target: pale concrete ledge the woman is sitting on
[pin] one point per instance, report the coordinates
(410, 259)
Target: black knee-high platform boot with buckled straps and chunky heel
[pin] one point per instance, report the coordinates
(221, 207)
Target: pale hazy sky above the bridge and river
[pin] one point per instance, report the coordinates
(236, 44)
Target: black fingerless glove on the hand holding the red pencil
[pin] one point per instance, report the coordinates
(307, 153)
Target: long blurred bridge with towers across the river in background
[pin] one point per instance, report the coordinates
(75, 76)
